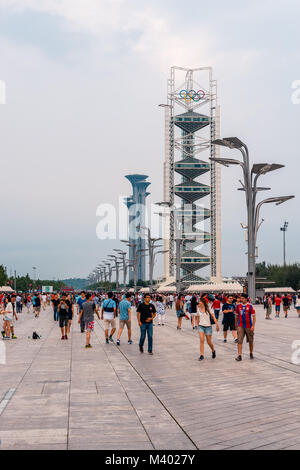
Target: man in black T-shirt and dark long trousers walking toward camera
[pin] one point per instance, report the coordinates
(146, 313)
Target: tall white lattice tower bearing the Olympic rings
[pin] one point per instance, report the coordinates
(189, 134)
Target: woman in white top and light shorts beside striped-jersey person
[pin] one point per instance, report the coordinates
(205, 328)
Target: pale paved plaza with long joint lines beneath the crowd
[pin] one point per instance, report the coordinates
(57, 395)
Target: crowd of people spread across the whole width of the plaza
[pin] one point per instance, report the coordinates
(203, 312)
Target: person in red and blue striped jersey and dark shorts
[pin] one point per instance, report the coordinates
(245, 319)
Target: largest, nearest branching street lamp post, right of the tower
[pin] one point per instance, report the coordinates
(249, 185)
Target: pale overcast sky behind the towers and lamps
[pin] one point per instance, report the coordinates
(83, 81)
